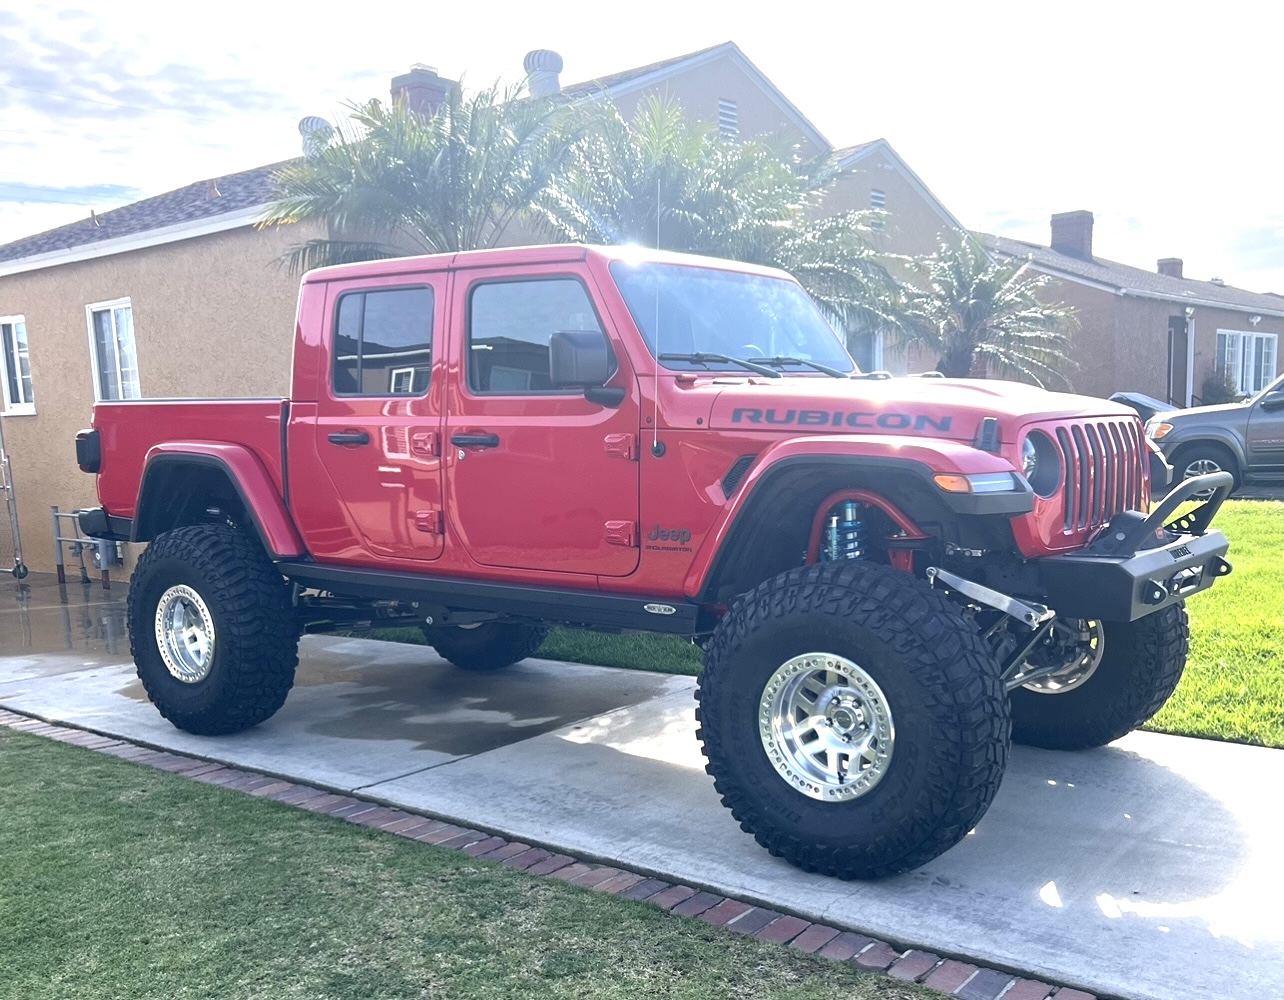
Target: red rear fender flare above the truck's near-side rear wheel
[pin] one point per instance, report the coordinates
(248, 477)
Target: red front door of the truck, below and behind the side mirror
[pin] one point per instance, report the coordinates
(539, 478)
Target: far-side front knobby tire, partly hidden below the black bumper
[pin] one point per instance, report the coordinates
(1140, 669)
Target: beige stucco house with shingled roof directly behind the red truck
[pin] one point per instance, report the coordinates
(182, 296)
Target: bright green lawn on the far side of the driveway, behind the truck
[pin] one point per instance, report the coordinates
(1235, 681)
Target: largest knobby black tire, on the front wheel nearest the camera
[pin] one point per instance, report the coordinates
(939, 685)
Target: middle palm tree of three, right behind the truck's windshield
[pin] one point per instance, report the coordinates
(661, 182)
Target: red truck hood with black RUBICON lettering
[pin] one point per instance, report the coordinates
(950, 409)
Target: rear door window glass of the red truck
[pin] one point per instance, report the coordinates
(383, 343)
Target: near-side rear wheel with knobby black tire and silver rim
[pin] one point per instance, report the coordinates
(202, 582)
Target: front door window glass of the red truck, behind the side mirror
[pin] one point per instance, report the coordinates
(510, 324)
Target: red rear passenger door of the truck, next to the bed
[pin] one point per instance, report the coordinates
(378, 424)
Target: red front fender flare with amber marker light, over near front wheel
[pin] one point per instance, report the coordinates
(858, 454)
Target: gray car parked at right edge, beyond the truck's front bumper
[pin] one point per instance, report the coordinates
(1245, 440)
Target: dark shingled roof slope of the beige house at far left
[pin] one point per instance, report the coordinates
(192, 203)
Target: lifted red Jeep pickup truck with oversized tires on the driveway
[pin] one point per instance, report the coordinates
(890, 578)
